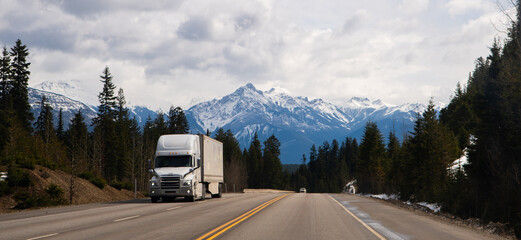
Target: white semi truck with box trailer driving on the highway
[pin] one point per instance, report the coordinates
(186, 165)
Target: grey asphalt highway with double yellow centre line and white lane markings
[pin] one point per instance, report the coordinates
(234, 216)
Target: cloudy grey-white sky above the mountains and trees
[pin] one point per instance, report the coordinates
(166, 52)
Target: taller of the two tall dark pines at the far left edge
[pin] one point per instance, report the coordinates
(20, 77)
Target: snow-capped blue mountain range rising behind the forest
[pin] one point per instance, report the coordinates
(298, 122)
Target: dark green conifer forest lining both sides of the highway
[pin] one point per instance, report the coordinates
(482, 120)
